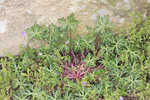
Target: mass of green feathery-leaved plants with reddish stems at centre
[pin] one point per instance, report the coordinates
(95, 66)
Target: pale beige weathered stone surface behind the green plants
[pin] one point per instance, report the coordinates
(17, 15)
